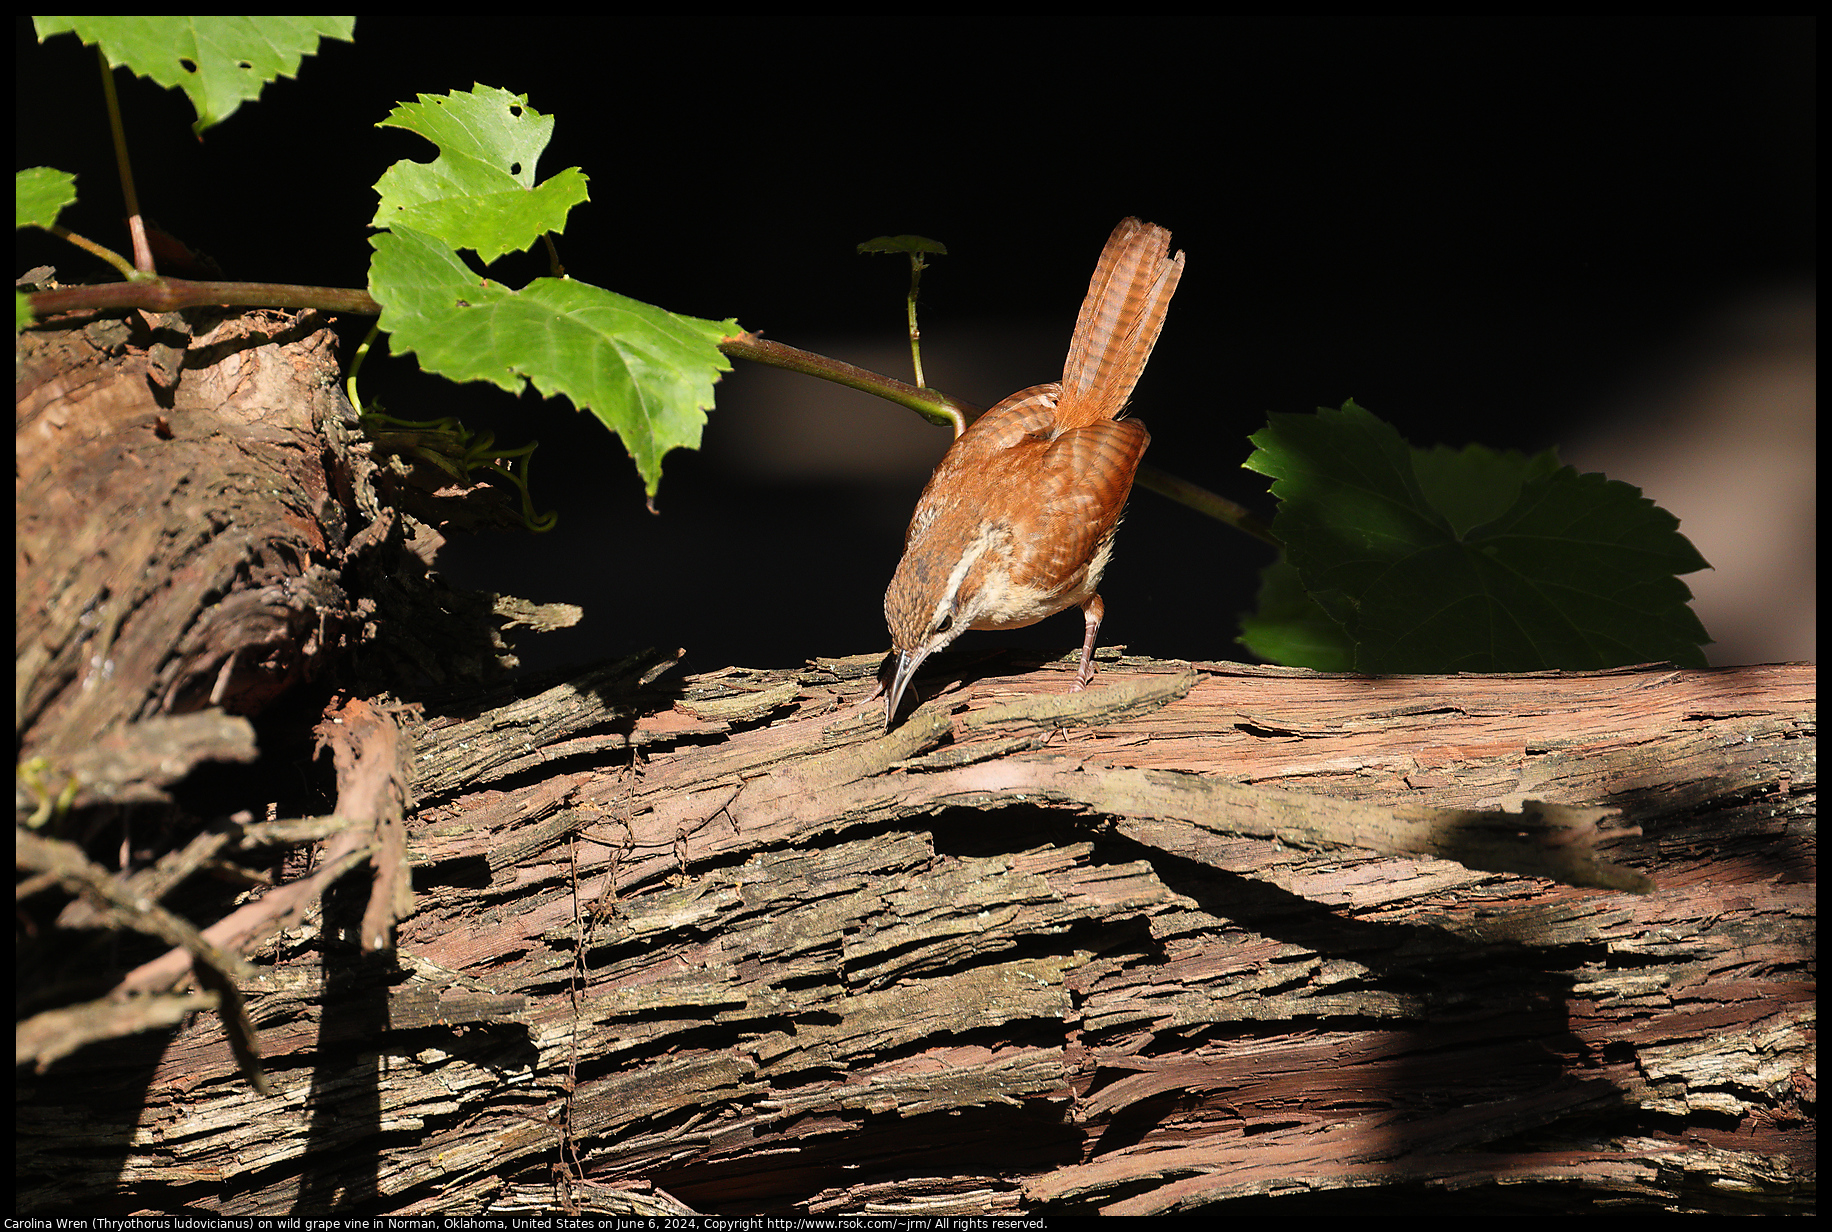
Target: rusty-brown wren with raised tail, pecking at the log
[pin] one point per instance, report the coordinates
(1020, 518)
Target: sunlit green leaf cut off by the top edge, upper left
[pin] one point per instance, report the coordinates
(217, 61)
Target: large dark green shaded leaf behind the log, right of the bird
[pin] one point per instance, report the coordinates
(1468, 560)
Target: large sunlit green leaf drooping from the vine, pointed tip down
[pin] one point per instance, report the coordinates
(642, 371)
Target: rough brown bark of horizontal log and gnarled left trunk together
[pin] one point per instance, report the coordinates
(723, 945)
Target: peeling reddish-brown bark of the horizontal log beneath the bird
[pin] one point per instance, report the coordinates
(787, 963)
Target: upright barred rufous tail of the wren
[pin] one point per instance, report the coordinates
(1118, 325)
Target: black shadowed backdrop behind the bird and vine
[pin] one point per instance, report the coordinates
(1481, 230)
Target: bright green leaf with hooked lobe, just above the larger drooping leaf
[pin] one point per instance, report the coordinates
(481, 192)
